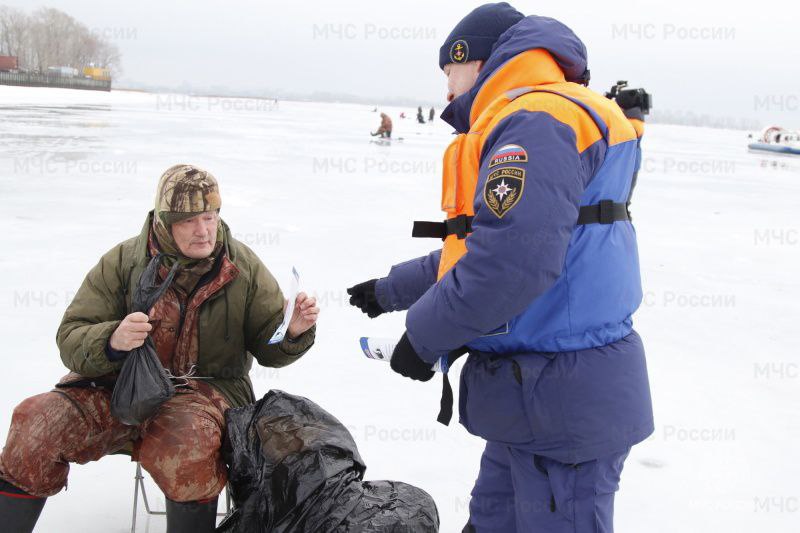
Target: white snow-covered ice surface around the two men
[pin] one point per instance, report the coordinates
(303, 185)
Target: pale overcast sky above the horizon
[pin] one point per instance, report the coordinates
(732, 60)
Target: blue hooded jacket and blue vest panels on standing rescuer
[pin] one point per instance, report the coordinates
(555, 366)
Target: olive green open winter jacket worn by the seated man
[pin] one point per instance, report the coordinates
(249, 317)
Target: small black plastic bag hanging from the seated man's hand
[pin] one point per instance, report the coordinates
(143, 384)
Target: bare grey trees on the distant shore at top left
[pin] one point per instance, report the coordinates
(51, 38)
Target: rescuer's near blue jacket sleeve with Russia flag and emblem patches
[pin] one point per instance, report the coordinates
(518, 244)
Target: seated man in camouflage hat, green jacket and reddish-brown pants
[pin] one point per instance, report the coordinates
(220, 311)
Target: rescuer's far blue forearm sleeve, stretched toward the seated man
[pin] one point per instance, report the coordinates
(407, 281)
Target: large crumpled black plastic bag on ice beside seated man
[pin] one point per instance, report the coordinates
(295, 468)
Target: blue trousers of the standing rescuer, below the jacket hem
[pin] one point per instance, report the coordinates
(518, 491)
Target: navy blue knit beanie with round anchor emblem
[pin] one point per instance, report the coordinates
(473, 38)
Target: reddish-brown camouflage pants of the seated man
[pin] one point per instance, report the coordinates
(179, 446)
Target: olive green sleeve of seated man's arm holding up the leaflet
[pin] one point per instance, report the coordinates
(264, 313)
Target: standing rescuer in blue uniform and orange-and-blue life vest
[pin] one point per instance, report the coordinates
(538, 276)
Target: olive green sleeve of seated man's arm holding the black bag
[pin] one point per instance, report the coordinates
(94, 313)
